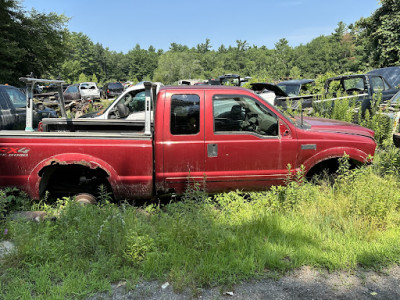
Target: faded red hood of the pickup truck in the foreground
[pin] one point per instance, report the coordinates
(328, 125)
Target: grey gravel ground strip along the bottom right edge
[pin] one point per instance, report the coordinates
(305, 283)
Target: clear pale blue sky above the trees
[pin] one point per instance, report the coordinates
(120, 25)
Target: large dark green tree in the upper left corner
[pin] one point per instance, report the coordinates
(29, 42)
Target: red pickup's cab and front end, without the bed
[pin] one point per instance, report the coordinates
(232, 139)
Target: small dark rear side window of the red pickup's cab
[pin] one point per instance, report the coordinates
(185, 114)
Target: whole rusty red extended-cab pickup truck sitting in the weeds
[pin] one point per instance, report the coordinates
(226, 136)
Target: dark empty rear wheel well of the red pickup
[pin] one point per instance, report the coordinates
(68, 180)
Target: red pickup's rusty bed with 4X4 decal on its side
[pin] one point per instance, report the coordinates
(122, 159)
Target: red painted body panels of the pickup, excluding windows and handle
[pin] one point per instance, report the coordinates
(245, 161)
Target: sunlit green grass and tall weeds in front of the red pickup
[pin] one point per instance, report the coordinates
(206, 241)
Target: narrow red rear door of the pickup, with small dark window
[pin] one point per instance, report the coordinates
(183, 142)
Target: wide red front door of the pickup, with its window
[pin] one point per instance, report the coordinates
(244, 148)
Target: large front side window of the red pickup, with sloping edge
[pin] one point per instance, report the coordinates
(239, 113)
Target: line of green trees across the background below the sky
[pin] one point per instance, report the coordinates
(41, 43)
